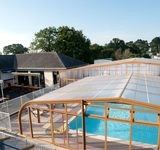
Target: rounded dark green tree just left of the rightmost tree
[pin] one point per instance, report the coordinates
(143, 46)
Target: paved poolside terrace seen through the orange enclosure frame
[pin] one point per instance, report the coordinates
(42, 131)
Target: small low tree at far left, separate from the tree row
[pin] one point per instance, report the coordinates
(14, 49)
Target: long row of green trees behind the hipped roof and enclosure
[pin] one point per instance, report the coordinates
(73, 43)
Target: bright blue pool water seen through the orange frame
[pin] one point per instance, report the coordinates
(140, 133)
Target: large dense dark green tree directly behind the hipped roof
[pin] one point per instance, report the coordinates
(73, 43)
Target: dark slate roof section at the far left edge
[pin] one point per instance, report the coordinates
(7, 62)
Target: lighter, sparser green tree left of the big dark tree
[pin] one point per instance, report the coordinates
(44, 40)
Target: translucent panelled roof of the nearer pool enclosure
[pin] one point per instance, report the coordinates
(134, 87)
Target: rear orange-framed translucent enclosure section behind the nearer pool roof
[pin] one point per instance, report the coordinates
(135, 65)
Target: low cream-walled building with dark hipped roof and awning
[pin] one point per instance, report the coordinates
(47, 64)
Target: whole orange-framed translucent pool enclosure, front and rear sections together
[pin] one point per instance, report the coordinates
(124, 92)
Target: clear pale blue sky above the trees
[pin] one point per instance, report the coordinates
(100, 20)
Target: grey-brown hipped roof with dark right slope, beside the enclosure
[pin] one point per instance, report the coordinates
(47, 60)
